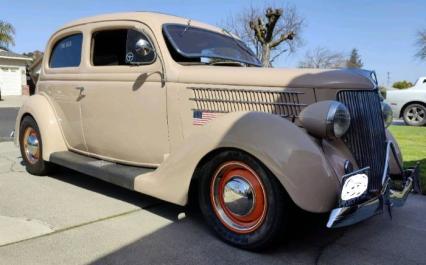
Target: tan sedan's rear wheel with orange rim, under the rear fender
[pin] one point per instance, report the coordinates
(32, 147)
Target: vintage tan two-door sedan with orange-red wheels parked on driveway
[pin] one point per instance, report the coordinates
(182, 111)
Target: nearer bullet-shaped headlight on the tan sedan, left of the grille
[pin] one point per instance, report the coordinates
(326, 119)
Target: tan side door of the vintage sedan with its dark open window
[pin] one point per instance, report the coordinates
(124, 108)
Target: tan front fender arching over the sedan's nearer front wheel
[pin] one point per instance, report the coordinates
(285, 149)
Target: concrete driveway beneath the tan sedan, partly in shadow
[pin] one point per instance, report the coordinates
(70, 218)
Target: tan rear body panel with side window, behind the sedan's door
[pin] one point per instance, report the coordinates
(60, 83)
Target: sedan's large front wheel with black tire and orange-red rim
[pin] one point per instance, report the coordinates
(242, 201)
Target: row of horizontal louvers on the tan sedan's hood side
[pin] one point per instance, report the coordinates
(224, 100)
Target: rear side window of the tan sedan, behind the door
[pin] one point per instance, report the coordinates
(67, 52)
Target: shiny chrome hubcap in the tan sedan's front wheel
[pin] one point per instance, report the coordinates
(238, 196)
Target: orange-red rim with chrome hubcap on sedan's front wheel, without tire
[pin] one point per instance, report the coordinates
(238, 197)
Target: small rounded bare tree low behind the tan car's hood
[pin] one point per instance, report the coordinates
(321, 57)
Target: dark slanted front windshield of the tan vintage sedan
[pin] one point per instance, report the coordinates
(191, 42)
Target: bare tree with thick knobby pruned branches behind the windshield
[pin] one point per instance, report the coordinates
(270, 31)
